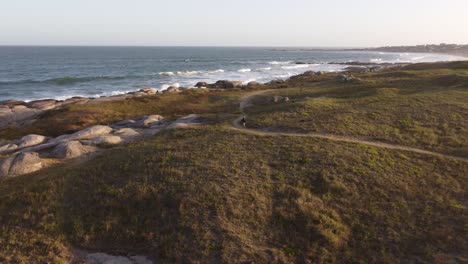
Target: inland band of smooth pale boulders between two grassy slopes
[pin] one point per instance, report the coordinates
(28, 154)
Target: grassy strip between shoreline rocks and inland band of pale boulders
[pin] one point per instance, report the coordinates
(170, 105)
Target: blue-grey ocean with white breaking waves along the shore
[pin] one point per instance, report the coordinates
(31, 73)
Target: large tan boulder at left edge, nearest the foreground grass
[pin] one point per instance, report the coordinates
(20, 164)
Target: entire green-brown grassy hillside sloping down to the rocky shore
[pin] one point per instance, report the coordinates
(273, 193)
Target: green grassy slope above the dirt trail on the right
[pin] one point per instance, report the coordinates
(425, 108)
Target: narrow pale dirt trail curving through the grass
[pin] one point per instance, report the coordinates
(246, 101)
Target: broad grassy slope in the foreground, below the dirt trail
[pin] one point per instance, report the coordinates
(212, 194)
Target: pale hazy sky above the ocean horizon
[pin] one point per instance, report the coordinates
(341, 23)
